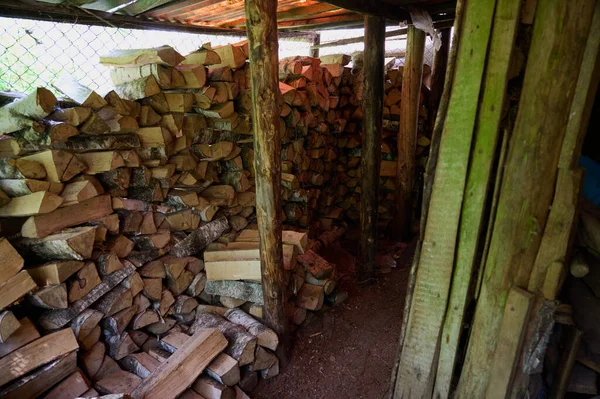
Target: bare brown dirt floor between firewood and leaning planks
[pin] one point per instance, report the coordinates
(348, 351)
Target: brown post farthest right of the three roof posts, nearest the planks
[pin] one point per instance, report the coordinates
(407, 135)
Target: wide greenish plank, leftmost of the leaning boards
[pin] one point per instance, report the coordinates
(418, 362)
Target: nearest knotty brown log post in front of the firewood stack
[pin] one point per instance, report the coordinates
(261, 28)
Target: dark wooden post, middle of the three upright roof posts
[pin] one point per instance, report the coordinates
(371, 143)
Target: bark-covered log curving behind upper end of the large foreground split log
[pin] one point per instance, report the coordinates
(241, 344)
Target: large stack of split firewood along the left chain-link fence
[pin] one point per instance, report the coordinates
(107, 205)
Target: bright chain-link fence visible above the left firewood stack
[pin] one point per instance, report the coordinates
(34, 53)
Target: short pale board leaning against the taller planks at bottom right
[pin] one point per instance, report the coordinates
(512, 330)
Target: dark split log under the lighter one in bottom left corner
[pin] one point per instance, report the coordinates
(34, 384)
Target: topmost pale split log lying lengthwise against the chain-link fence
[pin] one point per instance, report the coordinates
(164, 55)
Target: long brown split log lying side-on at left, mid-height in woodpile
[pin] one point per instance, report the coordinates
(42, 225)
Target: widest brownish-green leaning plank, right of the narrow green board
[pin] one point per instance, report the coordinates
(559, 36)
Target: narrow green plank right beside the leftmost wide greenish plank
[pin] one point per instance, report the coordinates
(506, 19)
